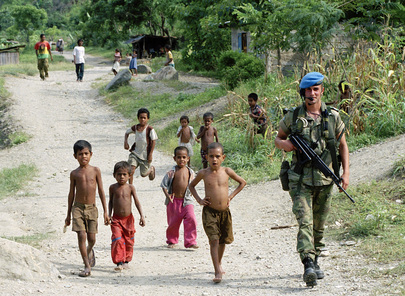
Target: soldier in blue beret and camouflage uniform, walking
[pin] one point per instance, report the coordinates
(309, 189)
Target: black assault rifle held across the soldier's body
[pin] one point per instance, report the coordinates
(308, 154)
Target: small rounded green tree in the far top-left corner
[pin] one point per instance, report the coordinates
(29, 18)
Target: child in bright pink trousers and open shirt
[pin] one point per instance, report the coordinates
(179, 201)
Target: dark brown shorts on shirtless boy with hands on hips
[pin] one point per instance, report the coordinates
(217, 225)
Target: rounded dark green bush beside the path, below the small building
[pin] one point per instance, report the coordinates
(236, 67)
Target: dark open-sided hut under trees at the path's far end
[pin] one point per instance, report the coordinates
(150, 46)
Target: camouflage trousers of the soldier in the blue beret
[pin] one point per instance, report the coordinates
(311, 205)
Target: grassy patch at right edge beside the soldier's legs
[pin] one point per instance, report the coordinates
(377, 220)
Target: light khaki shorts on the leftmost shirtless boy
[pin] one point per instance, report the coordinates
(84, 217)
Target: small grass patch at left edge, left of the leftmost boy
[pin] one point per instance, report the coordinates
(13, 180)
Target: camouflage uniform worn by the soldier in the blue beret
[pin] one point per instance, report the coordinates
(310, 190)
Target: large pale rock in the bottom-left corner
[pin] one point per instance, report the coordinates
(23, 262)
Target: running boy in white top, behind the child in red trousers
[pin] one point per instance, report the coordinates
(142, 149)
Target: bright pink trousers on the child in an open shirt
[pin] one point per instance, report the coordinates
(176, 213)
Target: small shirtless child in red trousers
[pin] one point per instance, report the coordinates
(122, 222)
